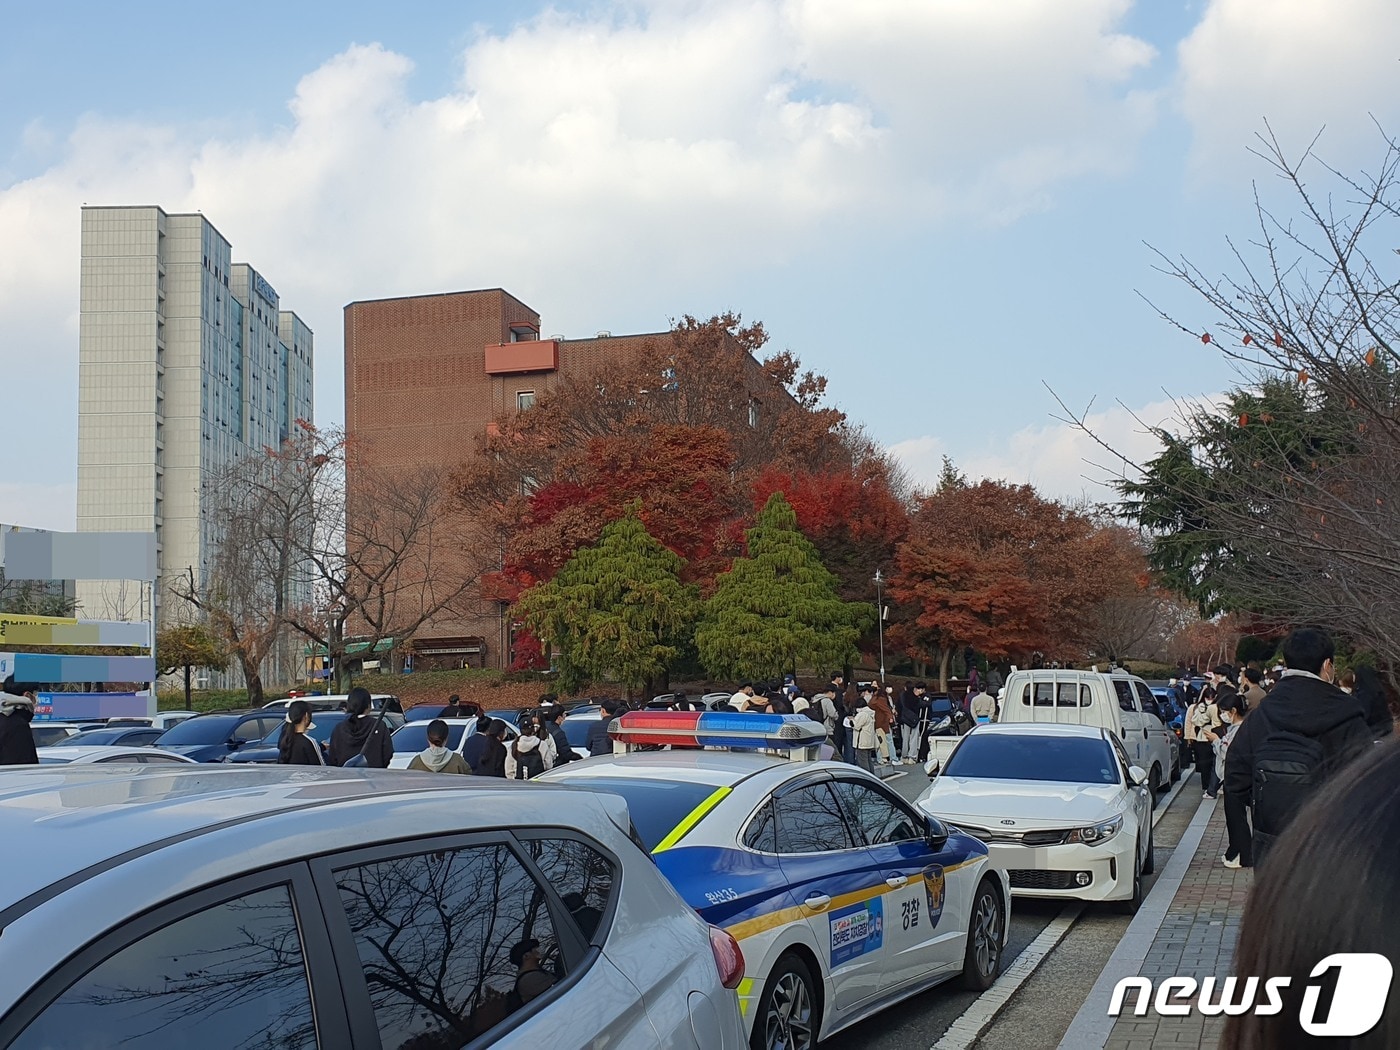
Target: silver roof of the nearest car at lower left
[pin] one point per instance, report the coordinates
(71, 821)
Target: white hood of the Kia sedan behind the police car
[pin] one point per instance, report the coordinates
(1030, 804)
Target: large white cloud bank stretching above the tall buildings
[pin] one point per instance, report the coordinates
(593, 160)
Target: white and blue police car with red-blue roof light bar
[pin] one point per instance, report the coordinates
(843, 898)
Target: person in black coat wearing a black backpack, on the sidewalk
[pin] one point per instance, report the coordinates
(1304, 703)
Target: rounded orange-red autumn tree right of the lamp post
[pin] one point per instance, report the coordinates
(997, 568)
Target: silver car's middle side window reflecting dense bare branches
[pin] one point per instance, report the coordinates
(451, 943)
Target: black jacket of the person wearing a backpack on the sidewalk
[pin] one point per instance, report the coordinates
(1308, 708)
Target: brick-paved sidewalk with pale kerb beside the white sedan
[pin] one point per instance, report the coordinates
(1195, 937)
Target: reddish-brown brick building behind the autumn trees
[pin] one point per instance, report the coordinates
(426, 376)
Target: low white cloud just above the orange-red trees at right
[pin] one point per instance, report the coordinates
(1059, 460)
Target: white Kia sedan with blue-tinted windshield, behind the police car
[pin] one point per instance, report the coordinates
(1060, 808)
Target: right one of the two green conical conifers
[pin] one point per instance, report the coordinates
(779, 608)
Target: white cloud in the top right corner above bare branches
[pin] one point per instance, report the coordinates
(1301, 65)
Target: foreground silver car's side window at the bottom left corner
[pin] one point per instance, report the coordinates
(227, 976)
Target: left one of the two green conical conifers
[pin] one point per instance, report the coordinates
(617, 610)
